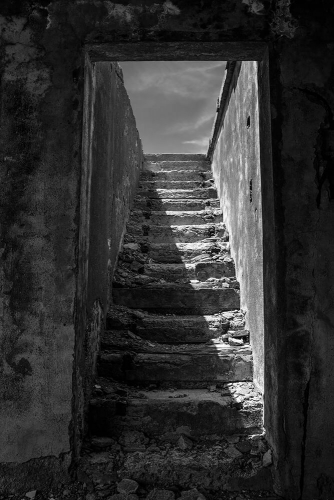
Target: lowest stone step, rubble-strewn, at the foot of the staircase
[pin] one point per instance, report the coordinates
(230, 466)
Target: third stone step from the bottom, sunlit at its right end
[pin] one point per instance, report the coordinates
(128, 358)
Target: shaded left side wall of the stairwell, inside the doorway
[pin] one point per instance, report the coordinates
(112, 159)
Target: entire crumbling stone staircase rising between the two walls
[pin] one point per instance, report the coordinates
(174, 406)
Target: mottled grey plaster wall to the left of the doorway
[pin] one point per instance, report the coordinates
(39, 185)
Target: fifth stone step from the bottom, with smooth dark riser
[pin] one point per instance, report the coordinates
(170, 298)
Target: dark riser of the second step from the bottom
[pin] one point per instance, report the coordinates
(161, 420)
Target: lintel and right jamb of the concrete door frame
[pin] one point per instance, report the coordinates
(232, 51)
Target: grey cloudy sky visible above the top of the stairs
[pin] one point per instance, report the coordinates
(174, 102)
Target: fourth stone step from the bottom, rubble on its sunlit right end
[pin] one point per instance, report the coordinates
(174, 328)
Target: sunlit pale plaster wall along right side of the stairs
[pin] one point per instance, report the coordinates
(236, 169)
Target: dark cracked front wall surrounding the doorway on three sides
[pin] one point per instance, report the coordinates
(41, 130)
